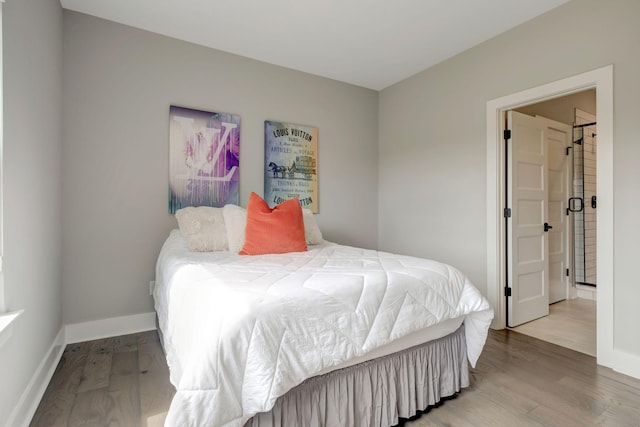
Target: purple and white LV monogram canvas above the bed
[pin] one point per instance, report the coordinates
(204, 157)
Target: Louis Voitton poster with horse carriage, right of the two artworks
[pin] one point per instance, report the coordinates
(291, 164)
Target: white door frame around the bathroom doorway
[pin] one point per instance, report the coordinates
(602, 80)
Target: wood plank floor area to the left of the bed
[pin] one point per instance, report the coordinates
(121, 381)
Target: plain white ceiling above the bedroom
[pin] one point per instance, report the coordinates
(369, 43)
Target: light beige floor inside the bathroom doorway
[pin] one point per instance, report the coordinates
(570, 323)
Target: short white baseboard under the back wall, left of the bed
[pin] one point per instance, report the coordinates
(112, 327)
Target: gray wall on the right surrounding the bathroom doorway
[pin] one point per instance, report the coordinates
(432, 174)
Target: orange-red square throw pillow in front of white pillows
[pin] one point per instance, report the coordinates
(273, 231)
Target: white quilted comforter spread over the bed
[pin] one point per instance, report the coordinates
(240, 331)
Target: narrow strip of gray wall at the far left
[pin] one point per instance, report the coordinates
(32, 39)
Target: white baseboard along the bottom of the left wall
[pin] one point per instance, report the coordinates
(28, 403)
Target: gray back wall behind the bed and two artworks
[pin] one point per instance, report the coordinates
(118, 85)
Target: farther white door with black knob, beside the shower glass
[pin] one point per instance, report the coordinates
(558, 138)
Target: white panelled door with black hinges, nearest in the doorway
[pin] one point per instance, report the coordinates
(527, 241)
